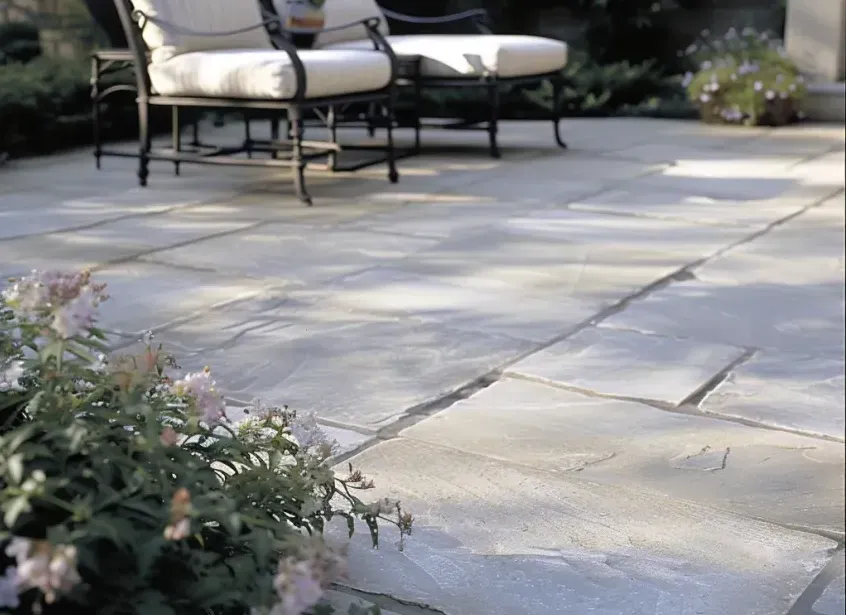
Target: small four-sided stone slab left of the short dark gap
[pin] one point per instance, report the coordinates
(628, 364)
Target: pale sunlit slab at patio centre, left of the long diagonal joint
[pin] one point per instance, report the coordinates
(393, 293)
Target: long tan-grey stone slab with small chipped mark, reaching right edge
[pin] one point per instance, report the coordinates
(766, 474)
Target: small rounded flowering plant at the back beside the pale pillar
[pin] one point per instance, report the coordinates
(744, 78)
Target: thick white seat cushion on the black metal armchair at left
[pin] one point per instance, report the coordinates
(259, 74)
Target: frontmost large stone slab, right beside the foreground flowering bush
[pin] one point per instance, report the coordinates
(495, 539)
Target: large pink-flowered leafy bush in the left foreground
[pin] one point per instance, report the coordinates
(125, 489)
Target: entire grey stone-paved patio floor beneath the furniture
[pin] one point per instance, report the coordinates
(608, 380)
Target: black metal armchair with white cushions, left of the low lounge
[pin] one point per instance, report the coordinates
(235, 55)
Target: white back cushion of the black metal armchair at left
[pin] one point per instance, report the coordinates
(201, 16)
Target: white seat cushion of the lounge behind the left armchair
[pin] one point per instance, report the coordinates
(475, 55)
